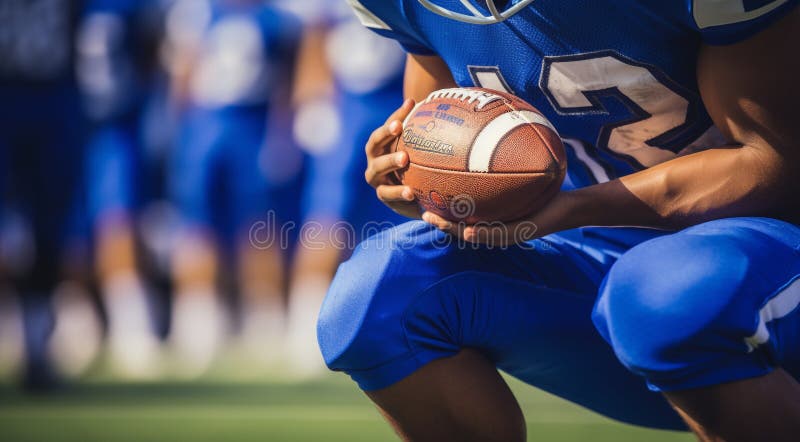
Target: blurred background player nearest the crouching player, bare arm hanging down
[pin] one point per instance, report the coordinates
(346, 78)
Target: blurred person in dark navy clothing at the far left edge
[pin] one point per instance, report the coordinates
(40, 160)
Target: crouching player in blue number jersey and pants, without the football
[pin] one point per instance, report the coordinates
(683, 118)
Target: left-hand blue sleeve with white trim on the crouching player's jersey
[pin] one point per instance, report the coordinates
(387, 18)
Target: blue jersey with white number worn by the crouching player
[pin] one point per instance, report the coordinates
(618, 76)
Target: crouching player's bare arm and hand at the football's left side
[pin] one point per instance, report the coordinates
(424, 74)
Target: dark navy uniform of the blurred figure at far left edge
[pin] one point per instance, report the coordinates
(40, 123)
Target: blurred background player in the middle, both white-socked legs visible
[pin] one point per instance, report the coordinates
(235, 62)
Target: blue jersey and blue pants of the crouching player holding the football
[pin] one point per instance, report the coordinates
(710, 304)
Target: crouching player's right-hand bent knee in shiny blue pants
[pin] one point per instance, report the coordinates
(664, 294)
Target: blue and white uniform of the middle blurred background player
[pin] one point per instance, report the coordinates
(224, 174)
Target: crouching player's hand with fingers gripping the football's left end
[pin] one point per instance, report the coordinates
(381, 164)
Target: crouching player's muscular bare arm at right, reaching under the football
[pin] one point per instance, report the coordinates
(752, 93)
